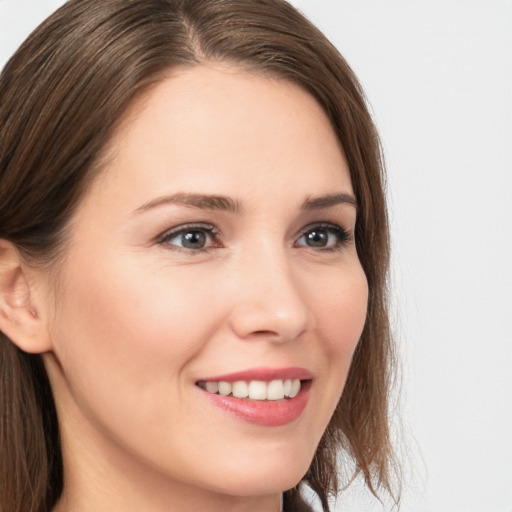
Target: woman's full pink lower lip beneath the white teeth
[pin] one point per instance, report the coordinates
(266, 413)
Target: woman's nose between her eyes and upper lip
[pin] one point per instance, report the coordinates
(268, 300)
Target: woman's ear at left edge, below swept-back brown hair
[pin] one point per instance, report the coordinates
(21, 320)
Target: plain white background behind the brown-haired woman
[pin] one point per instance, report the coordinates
(439, 80)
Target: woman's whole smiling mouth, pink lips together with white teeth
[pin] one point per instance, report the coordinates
(261, 396)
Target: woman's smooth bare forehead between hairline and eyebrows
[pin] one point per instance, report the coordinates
(225, 130)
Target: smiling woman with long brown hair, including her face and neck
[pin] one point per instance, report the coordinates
(193, 262)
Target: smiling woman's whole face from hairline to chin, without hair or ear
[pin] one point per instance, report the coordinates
(216, 246)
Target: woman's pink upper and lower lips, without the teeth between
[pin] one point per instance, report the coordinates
(267, 413)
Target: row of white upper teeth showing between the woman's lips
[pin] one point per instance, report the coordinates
(255, 389)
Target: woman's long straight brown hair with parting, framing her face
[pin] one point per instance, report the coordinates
(60, 97)
